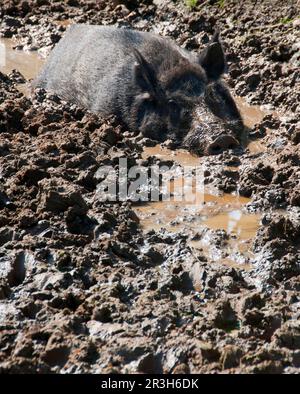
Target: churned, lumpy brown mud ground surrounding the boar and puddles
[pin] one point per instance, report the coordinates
(84, 287)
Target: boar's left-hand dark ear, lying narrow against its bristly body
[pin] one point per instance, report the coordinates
(143, 73)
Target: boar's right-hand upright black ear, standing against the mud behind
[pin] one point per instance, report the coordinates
(212, 59)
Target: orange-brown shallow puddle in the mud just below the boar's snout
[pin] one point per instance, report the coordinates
(211, 212)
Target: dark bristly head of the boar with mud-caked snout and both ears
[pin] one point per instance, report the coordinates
(187, 101)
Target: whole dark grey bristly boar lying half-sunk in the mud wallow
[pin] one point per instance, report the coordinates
(149, 82)
